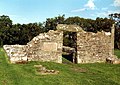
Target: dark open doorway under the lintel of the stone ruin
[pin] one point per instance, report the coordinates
(70, 46)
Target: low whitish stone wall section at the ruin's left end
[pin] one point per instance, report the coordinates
(16, 53)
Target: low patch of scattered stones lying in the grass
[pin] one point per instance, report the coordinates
(43, 71)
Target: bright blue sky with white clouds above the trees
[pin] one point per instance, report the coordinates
(30, 11)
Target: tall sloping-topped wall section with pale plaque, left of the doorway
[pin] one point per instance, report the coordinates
(46, 47)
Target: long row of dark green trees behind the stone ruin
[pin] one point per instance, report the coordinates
(23, 33)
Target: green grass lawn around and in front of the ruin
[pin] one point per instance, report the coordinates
(70, 74)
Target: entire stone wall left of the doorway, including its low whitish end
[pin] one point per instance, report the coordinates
(44, 47)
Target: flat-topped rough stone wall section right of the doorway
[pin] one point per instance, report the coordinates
(93, 47)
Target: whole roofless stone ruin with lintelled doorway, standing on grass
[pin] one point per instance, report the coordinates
(90, 47)
